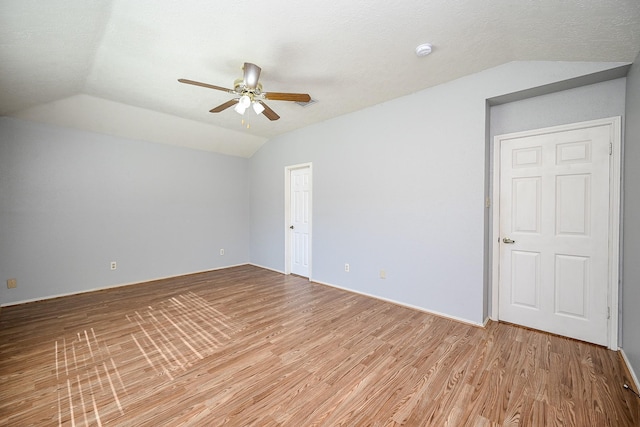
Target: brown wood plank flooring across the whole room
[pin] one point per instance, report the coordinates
(249, 347)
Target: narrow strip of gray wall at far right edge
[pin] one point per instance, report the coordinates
(631, 222)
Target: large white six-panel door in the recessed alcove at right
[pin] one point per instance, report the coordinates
(554, 232)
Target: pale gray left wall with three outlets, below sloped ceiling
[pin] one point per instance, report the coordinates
(72, 201)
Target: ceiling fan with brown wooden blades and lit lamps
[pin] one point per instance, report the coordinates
(248, 92)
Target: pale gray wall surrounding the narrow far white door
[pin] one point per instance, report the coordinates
(399, 186)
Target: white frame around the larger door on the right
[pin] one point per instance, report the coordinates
(614, 214)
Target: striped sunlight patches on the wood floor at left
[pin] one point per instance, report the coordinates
(162, 340)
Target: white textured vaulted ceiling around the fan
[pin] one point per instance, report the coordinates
(112, 66)
